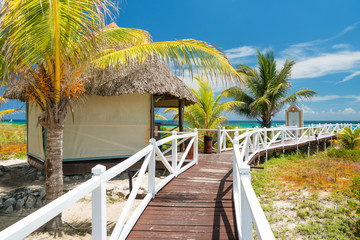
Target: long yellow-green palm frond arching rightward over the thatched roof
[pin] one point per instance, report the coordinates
(207, 59)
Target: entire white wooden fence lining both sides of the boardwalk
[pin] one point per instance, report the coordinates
(248, 210)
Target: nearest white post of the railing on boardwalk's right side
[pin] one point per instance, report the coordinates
(246, 219)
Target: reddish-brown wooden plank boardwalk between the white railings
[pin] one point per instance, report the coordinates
(195, 205)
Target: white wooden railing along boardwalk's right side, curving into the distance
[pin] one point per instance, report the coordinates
(248, 210)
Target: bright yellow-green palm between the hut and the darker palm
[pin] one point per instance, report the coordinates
(208, 112)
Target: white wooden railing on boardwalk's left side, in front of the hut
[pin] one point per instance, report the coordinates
(97, 186)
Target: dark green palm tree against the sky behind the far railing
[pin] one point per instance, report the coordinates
(267, 89)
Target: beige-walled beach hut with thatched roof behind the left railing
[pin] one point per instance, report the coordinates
(114, 120)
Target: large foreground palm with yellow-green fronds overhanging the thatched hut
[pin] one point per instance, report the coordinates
(53, 45)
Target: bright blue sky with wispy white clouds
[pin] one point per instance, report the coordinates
(322, 36)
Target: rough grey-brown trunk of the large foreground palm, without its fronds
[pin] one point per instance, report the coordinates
(54, 171)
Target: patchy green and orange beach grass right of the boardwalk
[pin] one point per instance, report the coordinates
(308, 197)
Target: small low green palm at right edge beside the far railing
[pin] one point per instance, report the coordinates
(349, 139)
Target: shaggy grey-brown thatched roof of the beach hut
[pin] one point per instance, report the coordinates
(153, 77)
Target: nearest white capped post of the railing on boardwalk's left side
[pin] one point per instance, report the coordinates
(99, 230)
